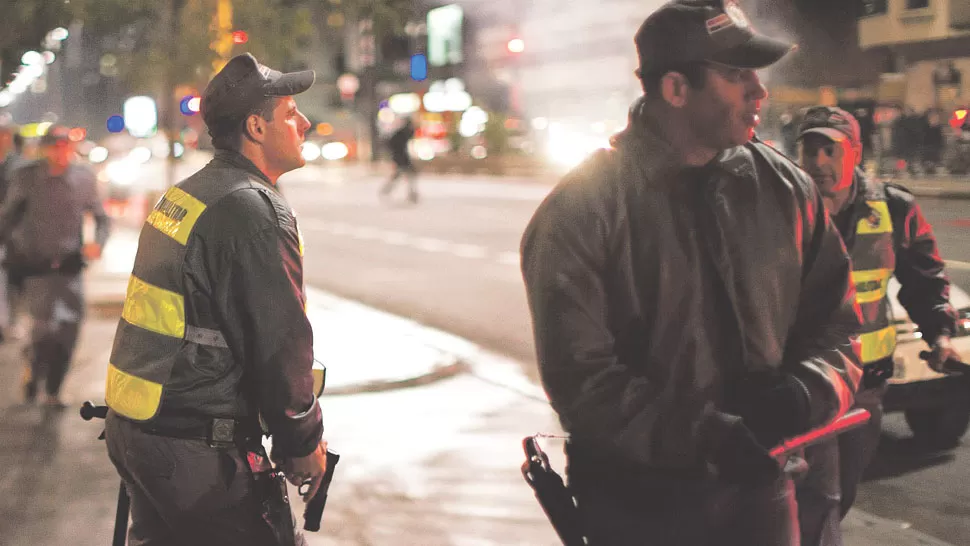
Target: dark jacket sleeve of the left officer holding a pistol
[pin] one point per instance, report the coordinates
(263, 302)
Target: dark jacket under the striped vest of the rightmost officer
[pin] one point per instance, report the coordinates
(915, 259)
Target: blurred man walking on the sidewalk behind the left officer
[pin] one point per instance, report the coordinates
(41, 223)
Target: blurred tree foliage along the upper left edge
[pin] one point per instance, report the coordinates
(279, 31)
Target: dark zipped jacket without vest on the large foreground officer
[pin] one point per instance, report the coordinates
(654, 287)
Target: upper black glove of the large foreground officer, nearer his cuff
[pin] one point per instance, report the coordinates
(773, 406)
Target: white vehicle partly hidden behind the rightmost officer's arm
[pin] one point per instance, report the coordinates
(936, 406)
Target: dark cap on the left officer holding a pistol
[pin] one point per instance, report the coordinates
(244, 83)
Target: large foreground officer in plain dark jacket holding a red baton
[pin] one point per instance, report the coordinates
(690, 299)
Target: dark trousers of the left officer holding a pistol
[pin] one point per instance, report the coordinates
(184, 492)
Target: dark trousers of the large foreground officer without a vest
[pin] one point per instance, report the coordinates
(668, 509)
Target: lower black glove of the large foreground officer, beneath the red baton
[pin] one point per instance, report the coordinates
(739, 458)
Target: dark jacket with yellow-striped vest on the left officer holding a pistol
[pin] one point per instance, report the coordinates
(239, 268)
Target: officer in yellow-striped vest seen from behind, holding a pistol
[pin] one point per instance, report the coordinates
(214, 339)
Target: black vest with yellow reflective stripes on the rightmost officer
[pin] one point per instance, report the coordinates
(874, 262)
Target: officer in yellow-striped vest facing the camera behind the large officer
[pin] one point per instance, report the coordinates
(886, 234)
